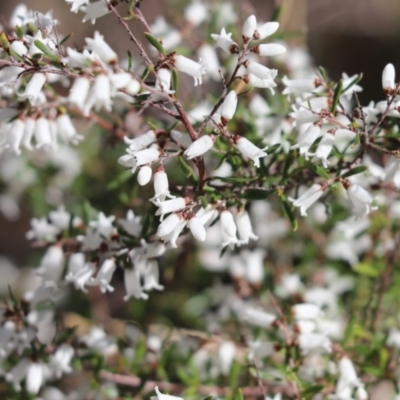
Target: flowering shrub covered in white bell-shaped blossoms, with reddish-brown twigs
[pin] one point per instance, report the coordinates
(189, 203)
